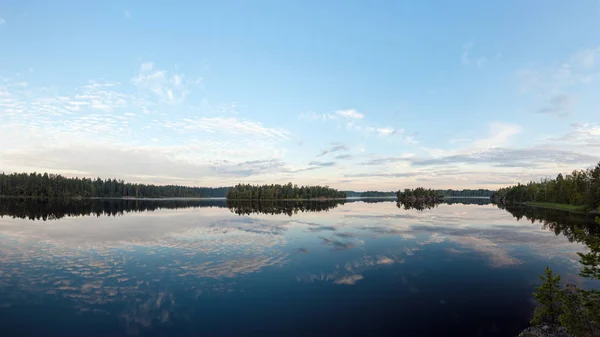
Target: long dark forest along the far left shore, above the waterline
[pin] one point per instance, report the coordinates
(54, 185)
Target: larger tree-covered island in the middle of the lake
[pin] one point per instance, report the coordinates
(288, 191)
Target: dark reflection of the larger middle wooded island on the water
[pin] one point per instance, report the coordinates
(289, 207)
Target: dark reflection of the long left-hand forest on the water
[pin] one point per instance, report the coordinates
(40, 209)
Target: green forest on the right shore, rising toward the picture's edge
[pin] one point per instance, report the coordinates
(581, 188)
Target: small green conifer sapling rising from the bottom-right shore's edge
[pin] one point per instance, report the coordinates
(548, 295)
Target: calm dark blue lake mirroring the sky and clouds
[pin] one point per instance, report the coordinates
(208, 268)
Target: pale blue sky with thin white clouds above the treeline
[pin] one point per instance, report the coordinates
(361, 95)
